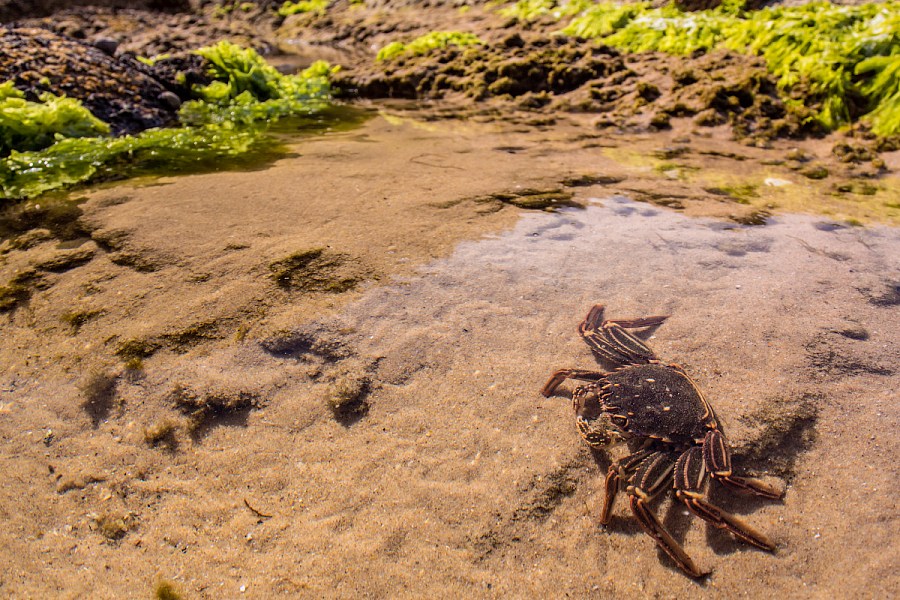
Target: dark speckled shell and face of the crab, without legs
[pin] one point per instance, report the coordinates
(652, 400)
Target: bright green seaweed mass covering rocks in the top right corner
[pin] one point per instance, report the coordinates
(844, 61)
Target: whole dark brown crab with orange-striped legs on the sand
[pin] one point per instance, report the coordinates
(671, 429)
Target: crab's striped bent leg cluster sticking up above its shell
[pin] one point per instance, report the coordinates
(610, 340)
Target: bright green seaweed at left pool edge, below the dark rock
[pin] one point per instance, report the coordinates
(229, 119)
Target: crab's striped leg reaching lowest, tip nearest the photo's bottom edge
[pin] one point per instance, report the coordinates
(652, 476)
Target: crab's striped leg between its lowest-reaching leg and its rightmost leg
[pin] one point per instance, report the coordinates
(690, 474)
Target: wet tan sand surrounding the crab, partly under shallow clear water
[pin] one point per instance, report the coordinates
(385, 436)
